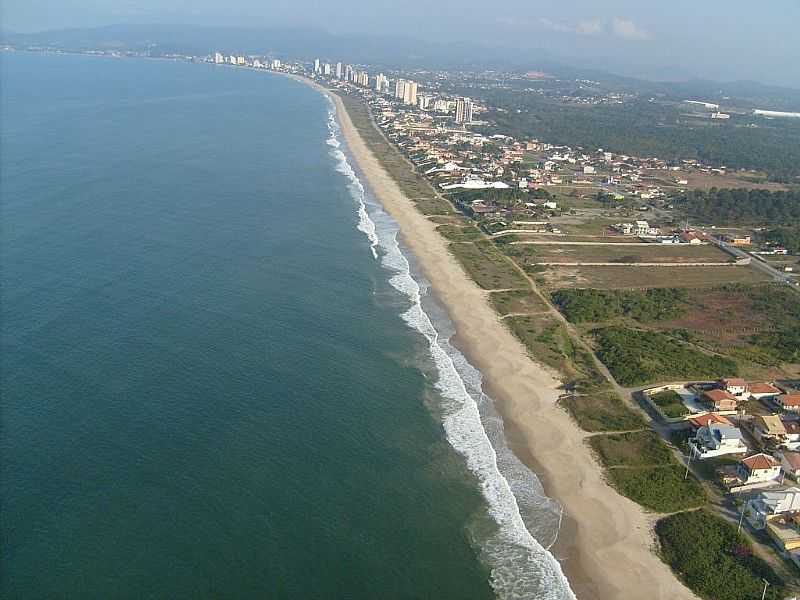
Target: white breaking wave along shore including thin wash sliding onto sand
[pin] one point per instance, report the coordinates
(520, 564)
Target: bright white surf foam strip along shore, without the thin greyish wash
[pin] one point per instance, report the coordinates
(520, 566)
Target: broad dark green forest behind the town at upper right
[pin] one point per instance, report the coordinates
(642, 128)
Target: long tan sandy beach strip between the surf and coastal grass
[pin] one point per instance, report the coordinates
(606, 542)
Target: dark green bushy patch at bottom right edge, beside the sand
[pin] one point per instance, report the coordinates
(714, 561)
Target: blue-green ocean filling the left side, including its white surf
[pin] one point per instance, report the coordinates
(222, 374)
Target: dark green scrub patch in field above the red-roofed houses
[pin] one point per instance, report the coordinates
(635, 357)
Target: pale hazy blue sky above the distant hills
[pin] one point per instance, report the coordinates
(724, 40)
